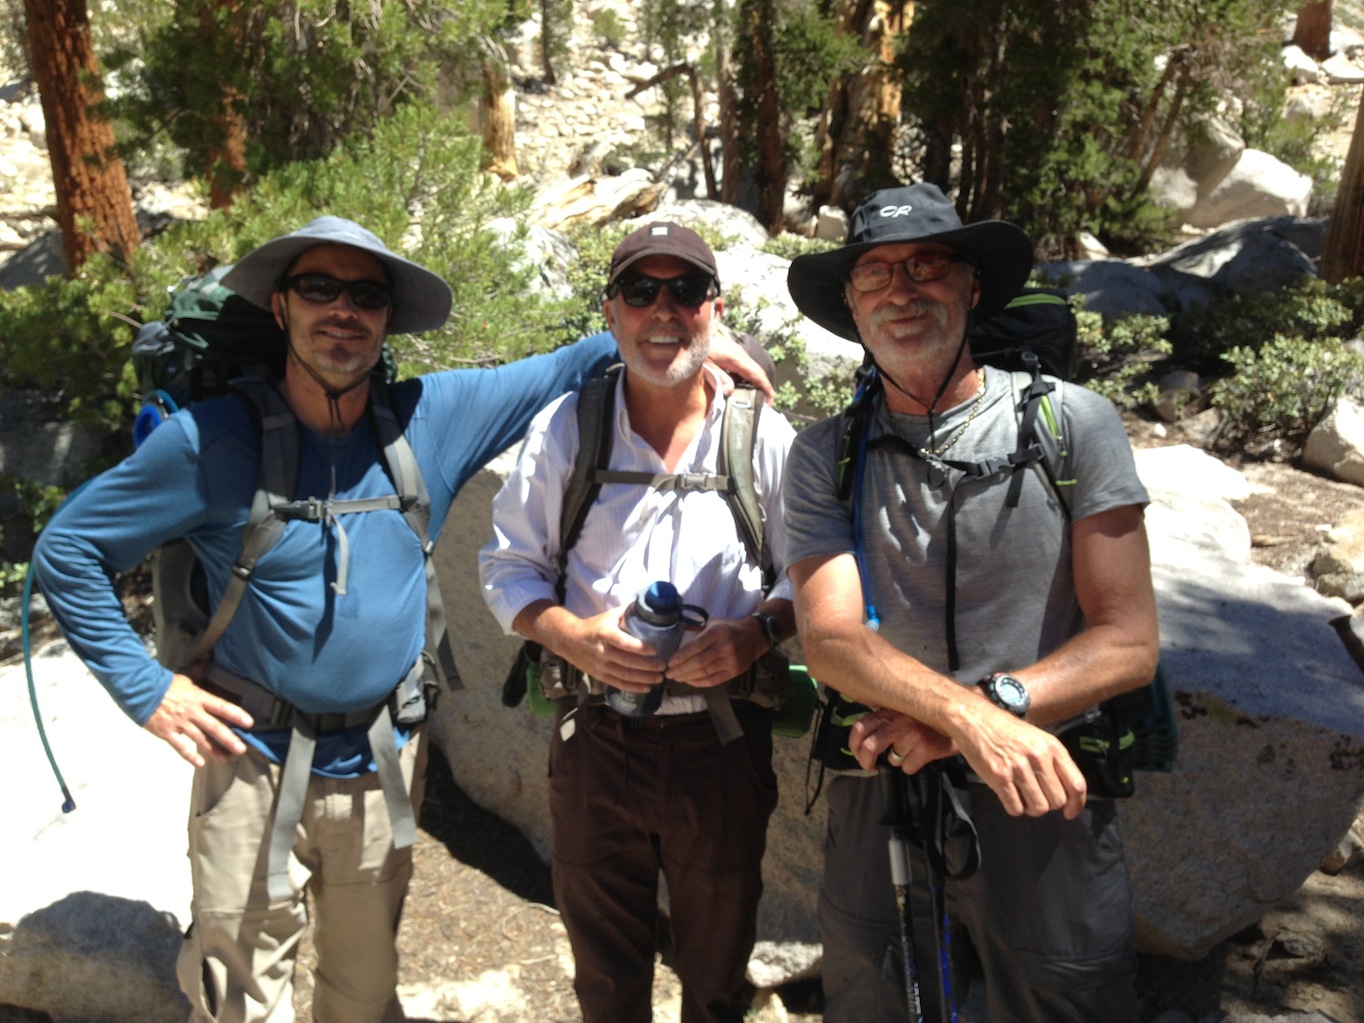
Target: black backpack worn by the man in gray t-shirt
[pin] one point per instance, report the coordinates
(1036, 340)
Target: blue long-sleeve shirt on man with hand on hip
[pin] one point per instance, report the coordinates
(196, 477)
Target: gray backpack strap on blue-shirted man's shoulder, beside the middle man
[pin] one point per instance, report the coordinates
(415, 504)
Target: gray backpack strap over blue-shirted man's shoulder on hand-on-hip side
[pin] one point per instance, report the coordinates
(276, 482)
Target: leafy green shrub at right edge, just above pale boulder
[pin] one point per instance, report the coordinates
(1281, 389)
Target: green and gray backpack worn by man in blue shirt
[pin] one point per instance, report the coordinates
(212, 342)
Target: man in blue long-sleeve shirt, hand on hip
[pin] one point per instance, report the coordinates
(332, 623)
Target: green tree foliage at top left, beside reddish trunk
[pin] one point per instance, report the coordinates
(302, 76)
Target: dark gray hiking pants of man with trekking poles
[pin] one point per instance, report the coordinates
(1048, 917)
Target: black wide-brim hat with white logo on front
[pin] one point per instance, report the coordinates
(1000, 250)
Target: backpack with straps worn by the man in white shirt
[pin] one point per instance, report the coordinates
(773, 684)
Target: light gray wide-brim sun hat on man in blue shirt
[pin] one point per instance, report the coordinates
(421, 299)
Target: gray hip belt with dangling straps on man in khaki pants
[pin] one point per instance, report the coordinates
(409, 705)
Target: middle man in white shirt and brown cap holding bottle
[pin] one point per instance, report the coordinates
(636, 796)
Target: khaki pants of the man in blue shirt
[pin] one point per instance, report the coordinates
(237, 965)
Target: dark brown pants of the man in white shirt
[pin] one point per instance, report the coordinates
(635, 799)
